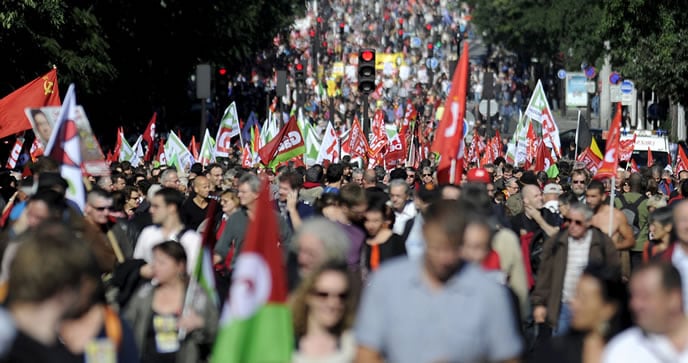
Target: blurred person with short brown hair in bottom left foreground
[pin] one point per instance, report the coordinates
(42, 294)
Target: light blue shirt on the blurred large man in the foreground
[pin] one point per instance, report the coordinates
(471, 319)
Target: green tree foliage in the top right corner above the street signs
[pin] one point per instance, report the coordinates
(648, 41)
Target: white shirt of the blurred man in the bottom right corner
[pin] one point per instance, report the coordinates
(632, 346)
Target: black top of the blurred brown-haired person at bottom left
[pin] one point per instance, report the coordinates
(26, 349)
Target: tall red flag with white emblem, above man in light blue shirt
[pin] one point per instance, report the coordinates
(448, 141)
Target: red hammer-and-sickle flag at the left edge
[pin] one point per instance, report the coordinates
(40, 92)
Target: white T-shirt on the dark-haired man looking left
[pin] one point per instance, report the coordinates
(152, 235)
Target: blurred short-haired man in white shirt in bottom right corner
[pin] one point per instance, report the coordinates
(661, 334)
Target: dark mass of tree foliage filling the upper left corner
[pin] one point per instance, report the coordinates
(129, 58)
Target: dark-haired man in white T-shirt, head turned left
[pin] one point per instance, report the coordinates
(165, 207)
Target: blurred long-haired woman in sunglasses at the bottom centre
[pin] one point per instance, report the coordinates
(323, 310)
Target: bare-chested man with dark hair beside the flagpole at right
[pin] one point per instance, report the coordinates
(619, 230)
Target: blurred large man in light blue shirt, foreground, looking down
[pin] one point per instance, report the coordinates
(461, 295)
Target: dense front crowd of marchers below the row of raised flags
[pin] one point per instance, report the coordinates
(381, 266)
